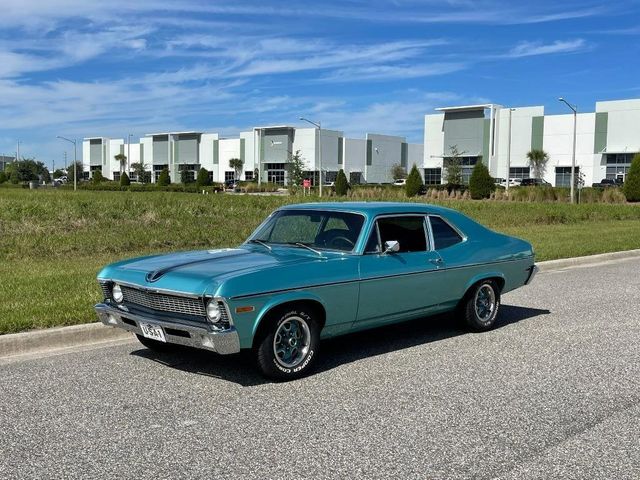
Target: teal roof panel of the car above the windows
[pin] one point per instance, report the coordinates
(370, 208)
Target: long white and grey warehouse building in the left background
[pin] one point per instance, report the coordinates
(265, 151)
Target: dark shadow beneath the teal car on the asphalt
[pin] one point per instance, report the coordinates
(240, 368)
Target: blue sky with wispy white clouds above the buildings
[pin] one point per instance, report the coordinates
(82, 68)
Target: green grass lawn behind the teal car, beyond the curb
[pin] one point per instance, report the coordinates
(53, 243)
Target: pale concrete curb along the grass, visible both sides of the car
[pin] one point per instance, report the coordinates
(60, 338)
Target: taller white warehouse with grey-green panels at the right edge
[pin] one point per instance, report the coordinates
(606, 141)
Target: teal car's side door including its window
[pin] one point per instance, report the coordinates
(398, 285)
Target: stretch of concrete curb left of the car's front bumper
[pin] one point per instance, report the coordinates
(58, 338)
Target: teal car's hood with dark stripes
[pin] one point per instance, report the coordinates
(200, 272)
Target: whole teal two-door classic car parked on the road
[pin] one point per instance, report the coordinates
(314, 271)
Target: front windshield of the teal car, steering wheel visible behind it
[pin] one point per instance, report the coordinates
(316, 229)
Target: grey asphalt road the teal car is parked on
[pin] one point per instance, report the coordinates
(554, 392)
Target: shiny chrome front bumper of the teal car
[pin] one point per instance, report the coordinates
(223, 342)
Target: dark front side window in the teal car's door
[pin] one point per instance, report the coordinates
(409, 231)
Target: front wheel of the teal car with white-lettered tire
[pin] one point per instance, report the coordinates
(289, 346)
